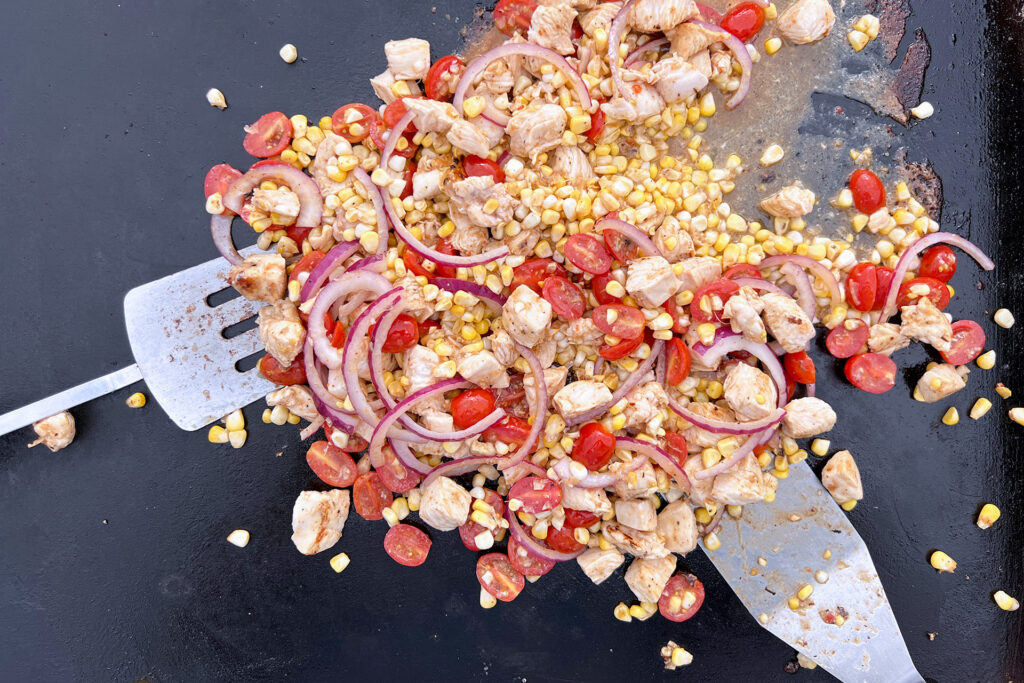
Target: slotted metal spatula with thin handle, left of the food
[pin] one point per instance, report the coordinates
(181, 351)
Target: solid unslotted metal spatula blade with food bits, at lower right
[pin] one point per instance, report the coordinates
(792, 535)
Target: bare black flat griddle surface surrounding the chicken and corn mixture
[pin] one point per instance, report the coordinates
(113, 561)
